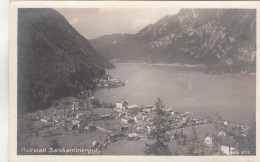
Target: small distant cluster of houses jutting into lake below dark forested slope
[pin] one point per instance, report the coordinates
(109, 82)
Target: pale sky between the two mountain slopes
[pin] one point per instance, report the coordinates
(94, 22)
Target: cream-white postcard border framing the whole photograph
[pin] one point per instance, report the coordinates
(112, 4)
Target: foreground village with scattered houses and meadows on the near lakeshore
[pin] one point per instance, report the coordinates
(110, 123)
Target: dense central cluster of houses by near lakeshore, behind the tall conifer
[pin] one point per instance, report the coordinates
(140, 117)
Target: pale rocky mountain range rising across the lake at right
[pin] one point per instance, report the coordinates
(222, 39)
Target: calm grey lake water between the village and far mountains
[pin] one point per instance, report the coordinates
(186, 88)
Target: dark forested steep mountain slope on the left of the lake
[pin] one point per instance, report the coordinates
(54, 60)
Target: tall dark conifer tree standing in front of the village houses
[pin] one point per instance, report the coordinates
(159, 125)
